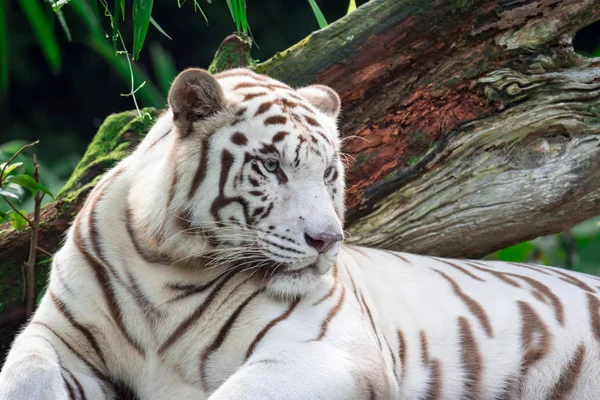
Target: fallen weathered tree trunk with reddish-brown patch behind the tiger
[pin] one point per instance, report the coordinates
(469, 126)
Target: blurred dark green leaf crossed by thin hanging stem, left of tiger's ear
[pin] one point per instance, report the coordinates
(150, 95)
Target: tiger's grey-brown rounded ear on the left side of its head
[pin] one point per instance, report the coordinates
(194, 95)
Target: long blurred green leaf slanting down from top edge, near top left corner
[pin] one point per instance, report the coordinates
(42, 27)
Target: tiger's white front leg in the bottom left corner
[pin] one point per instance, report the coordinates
(37, 368)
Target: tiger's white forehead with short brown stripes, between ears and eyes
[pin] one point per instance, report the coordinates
(274, 118)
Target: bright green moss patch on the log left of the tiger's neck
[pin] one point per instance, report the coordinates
(111, 144)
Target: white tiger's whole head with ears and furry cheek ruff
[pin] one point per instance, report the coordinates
(251, 177)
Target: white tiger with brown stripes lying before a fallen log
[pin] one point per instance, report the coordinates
(209, 264)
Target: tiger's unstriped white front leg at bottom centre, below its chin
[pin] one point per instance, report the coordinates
(309, 371)
